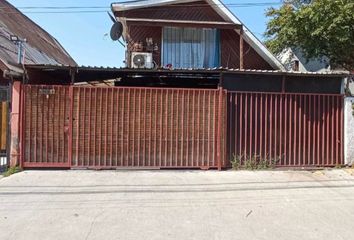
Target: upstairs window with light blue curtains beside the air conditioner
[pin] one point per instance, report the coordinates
(191, 47)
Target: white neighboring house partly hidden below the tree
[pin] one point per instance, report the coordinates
(294, 60)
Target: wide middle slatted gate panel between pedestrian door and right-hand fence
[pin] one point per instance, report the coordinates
(174, 128)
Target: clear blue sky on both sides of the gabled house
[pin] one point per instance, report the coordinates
(84, 35)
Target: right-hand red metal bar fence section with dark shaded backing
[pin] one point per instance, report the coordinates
(290, 129)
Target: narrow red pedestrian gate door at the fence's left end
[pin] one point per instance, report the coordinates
(46, 126)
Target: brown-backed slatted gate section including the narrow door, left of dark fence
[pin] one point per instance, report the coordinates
(105, 128)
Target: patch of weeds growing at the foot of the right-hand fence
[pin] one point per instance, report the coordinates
(255, 162)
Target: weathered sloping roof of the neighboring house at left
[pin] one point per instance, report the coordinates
(41, 47)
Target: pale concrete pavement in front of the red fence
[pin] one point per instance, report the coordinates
(177, 205)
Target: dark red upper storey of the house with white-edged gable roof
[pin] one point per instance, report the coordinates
(190, 34)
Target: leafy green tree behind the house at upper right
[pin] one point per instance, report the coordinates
(318, 27)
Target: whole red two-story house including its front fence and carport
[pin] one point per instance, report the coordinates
(199, 91)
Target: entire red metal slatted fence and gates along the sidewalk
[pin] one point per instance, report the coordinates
(99, 128)
